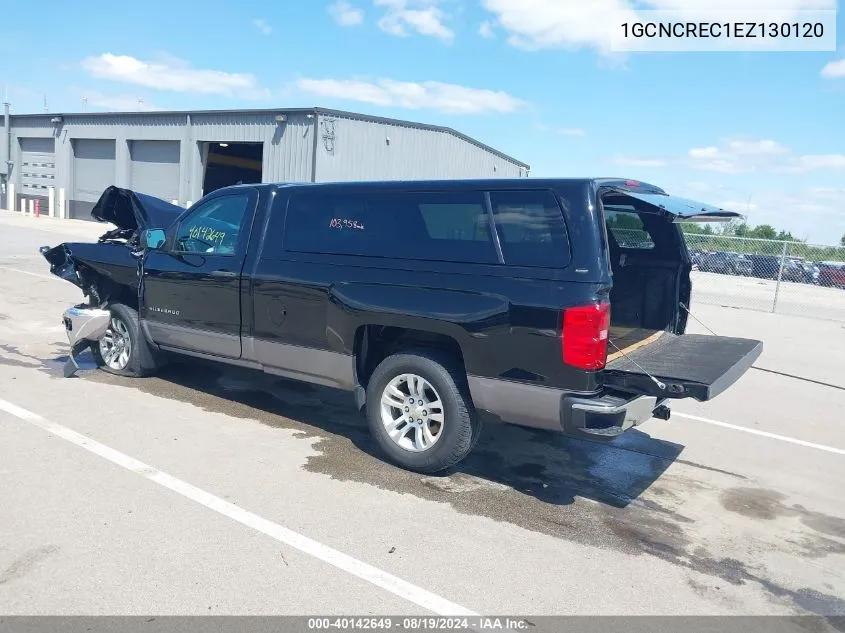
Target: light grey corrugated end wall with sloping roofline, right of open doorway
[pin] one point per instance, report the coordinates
(355, 149)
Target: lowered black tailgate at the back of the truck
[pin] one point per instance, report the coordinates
(689, 365)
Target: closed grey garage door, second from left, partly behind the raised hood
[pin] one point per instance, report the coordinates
(93, 172)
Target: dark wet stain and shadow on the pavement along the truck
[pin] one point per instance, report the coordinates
(533, 479)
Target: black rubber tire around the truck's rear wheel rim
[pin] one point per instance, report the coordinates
(461, 425)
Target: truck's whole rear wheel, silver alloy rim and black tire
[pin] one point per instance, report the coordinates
(420, 412)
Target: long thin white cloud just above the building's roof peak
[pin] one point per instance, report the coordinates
(434, 95)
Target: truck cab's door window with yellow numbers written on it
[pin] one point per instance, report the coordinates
(214, 227)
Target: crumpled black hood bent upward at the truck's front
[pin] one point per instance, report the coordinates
(131, 210)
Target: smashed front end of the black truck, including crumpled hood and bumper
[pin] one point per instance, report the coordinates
(107, 271)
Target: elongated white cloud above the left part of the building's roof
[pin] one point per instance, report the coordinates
(172, 75)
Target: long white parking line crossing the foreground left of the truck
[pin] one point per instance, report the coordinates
(344, 562)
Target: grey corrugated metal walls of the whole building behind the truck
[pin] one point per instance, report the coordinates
(347, 148)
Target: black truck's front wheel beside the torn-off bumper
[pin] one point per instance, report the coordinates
(119, 350)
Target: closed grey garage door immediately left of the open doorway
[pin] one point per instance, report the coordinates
(154, 168)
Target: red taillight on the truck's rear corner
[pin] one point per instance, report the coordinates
(585, 331)
